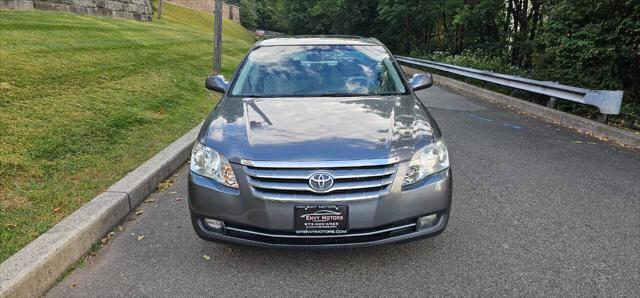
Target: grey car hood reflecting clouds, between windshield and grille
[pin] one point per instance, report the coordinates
(318, 129)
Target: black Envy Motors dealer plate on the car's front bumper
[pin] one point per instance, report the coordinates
(318, 219)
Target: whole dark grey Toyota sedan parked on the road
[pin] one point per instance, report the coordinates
(319, 142)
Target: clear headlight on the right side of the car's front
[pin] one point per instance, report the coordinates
(428, 160)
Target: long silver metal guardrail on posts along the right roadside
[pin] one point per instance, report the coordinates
(607, 101)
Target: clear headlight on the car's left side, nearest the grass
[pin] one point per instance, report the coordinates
(209, 163)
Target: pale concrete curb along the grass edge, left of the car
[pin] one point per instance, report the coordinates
(35, 268)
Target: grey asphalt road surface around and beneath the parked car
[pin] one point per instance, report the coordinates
(538, 210)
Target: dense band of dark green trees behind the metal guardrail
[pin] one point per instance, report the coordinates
(587, 43)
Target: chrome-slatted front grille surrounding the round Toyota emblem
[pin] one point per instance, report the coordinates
(292, 183)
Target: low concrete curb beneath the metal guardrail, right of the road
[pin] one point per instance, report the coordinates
(584, 125)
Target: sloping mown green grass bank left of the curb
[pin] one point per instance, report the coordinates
(84, 100)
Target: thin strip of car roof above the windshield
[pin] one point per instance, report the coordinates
(303, 40)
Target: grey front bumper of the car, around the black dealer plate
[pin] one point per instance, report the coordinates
(253, 221)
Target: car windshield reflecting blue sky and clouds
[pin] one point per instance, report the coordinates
(280, 71)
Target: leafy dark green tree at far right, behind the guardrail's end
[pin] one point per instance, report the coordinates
(594, 44)
